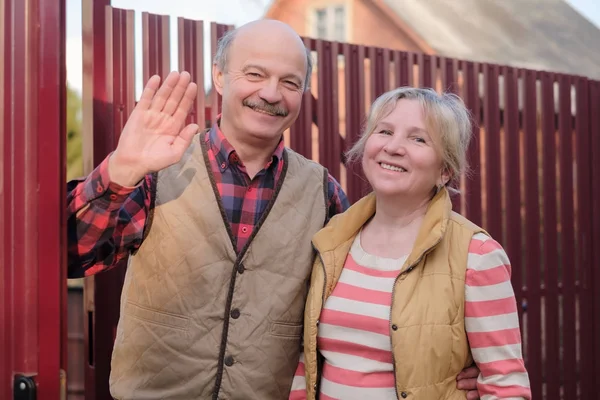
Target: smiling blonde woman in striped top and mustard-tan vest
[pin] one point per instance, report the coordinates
(405, 293)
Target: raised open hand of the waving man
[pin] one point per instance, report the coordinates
(154, 136)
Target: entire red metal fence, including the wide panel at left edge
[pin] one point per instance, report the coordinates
(535, 159)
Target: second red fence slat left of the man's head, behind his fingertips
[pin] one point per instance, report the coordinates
(191, 58)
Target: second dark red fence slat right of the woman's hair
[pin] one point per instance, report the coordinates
(493, 186)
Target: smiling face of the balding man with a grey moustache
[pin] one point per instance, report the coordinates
(262, 85)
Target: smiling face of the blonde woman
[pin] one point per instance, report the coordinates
(400, 157)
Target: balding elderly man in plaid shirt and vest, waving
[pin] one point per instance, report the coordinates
(216, 226)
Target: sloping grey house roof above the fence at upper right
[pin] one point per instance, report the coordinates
(538, 34)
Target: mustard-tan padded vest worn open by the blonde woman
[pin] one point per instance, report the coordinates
(427, 331)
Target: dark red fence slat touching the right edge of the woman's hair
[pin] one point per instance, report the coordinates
(473, 182)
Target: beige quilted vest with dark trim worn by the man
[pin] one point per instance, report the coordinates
(199, 321)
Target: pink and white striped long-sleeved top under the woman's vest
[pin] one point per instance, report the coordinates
(354, 328)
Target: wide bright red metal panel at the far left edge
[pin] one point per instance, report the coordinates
(32, 202)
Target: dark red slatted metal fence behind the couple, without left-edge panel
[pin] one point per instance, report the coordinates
(534, 159)
